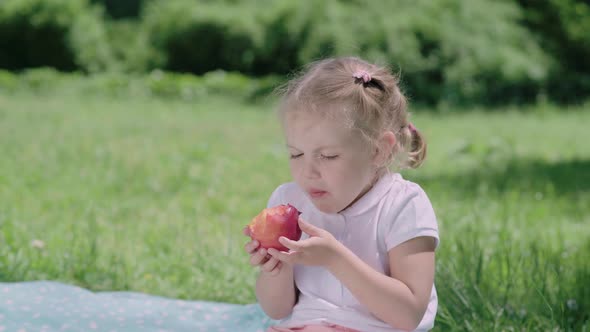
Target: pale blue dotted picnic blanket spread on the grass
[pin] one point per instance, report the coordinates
(52, 306)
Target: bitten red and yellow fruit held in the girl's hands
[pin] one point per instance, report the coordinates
(272, 223)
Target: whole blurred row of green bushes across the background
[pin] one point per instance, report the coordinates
(446, 51)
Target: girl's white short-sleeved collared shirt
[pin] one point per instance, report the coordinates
(392, 212)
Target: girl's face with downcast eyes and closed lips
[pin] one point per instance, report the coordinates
(330, 162)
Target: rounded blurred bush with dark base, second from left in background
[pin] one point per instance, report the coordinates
(200, 36)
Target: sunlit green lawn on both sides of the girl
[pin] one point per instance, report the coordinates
(151, 196)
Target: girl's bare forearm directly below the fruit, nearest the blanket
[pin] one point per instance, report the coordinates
(277, 293)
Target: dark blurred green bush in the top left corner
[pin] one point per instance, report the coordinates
(64, 34)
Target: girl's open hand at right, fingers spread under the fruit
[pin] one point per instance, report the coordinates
(320, 249)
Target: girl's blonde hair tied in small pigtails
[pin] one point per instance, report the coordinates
(371, 106)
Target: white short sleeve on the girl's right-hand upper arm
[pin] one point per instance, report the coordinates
(412, 217)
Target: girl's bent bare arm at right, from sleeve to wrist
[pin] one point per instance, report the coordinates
(400, 300)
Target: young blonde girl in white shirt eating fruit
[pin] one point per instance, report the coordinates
(366, 259)
